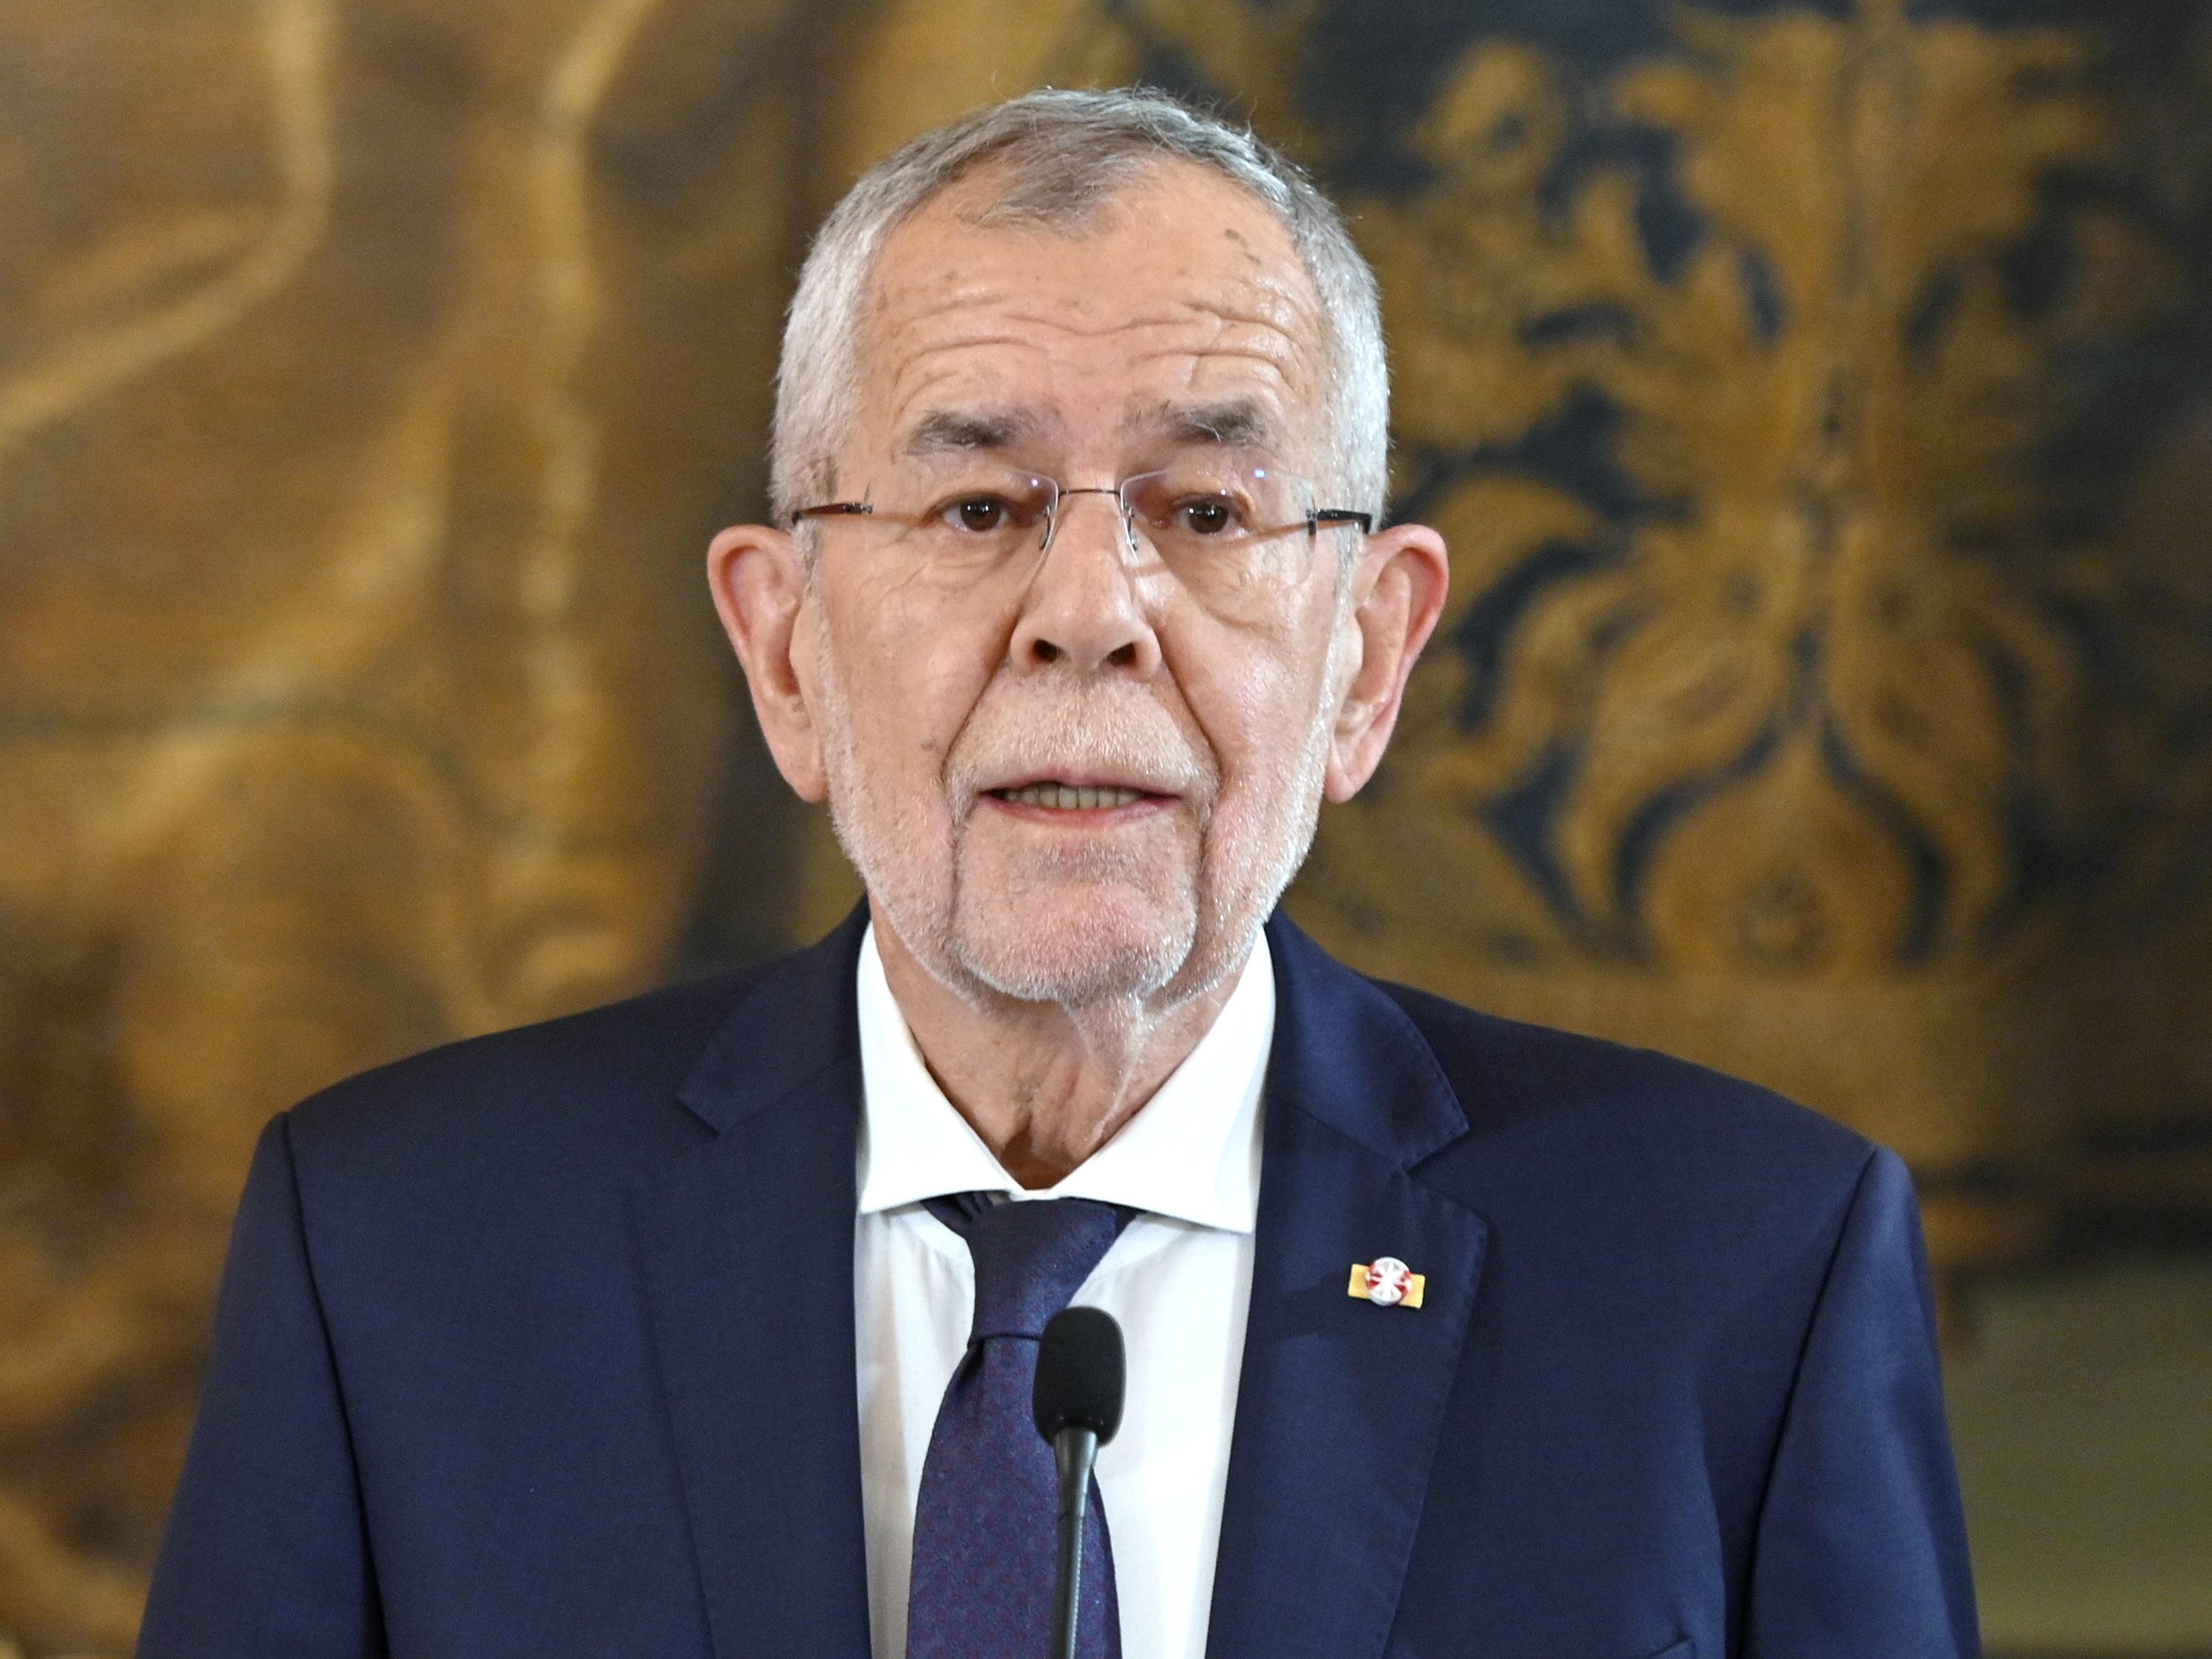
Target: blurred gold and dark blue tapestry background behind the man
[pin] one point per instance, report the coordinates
(1817, 401)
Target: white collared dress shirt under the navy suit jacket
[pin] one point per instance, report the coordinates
(1180, 1280)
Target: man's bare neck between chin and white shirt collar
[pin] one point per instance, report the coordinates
(1045, 1085)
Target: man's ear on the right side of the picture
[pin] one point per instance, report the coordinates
(1397, 598)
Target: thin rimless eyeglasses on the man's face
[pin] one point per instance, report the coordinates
(1222, 528)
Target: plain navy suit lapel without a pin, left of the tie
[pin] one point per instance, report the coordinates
(747, 1244)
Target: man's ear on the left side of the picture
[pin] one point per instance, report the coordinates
(760, 585)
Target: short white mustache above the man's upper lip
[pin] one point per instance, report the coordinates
(1129, 740)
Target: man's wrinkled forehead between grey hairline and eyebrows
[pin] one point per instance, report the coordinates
(1173, 311)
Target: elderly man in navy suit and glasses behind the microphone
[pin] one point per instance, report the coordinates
(705, 1326)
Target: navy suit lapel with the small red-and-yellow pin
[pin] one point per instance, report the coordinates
(1339, 1404)
